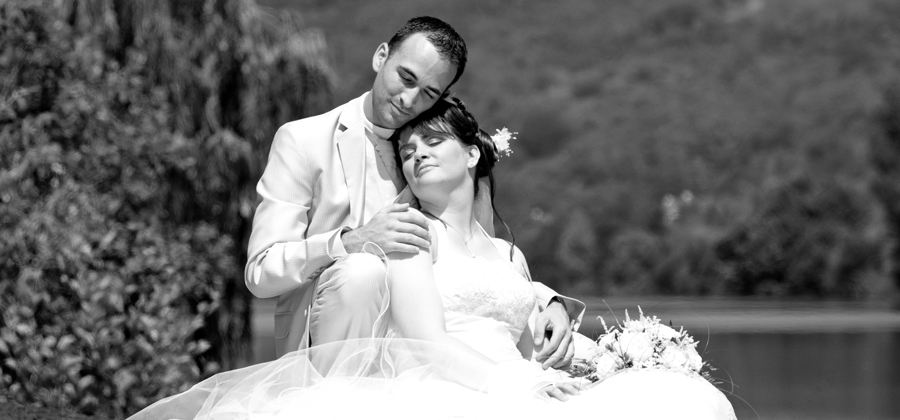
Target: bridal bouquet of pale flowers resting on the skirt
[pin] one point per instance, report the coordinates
(641, 343)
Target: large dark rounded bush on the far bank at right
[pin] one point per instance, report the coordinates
(813, 237)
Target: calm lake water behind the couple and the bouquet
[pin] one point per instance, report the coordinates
(777, 360)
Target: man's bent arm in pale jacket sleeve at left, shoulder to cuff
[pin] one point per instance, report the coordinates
(281, 257)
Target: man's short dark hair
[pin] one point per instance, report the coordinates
(446, 41)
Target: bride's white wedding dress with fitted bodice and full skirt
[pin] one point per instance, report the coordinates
(487, 305)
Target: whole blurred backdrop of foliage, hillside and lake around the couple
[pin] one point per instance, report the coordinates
(730, 165)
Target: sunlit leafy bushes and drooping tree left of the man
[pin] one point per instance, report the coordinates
(131, 137)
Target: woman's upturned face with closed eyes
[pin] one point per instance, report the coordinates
(435, 164)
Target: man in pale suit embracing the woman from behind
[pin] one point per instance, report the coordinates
(331, 186)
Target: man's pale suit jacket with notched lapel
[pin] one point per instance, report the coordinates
(312, 187)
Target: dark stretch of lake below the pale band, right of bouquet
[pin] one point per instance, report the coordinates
(799, 375)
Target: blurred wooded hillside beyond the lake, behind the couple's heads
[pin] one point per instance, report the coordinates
(676, 147)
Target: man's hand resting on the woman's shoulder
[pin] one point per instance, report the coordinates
(395, 228)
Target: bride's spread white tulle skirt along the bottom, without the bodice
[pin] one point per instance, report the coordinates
(409, 379)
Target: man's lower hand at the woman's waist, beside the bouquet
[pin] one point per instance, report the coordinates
(560, 349)
